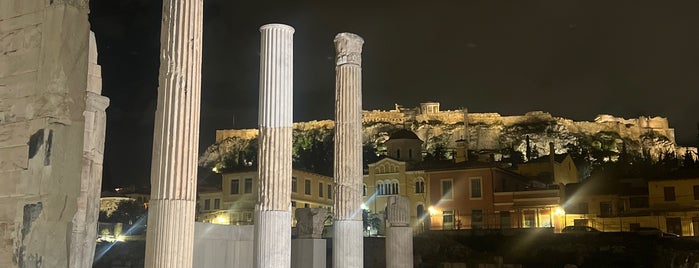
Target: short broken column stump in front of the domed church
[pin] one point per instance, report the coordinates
(399, 235)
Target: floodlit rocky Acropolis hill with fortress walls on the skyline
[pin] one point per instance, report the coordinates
(492, 132)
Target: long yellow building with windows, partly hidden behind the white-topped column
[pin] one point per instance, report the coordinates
(235, 202)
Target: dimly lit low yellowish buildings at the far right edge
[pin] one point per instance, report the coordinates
(671, 205)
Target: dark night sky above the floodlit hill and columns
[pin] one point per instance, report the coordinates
(574, 59)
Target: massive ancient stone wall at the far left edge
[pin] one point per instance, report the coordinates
(52, 124)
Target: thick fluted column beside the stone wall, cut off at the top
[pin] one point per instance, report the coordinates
(170, 236)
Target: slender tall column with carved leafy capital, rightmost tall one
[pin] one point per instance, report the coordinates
(347, 227)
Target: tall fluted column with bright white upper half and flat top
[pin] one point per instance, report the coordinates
(273, 210)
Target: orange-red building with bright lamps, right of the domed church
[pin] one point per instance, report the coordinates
(490, 198)
